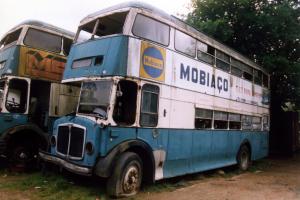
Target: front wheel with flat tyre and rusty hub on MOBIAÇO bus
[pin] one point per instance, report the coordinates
(126, 177)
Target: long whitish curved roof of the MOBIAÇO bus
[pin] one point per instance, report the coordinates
(177, 23)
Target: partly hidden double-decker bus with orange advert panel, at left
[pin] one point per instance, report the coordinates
(32, 59)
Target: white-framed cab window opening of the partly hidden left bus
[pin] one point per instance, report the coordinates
(16, 100)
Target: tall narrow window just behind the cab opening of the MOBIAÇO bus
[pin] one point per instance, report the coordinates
(149, 105)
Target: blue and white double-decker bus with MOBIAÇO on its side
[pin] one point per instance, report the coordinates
(158, 99)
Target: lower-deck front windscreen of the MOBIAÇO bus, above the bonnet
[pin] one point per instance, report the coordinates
(95, 98)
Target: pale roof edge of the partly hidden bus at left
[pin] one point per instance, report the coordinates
(44, 25)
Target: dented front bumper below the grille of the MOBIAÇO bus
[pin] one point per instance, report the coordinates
(86, 171)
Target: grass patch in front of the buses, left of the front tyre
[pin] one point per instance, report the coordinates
(53, 186)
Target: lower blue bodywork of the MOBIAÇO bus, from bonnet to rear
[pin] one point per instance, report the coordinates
(188, 151)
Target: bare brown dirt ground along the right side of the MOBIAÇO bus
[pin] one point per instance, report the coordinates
(279, 181)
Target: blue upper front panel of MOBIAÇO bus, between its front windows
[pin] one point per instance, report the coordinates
(114, 51)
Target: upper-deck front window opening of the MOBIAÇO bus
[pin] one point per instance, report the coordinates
(103, 26)
